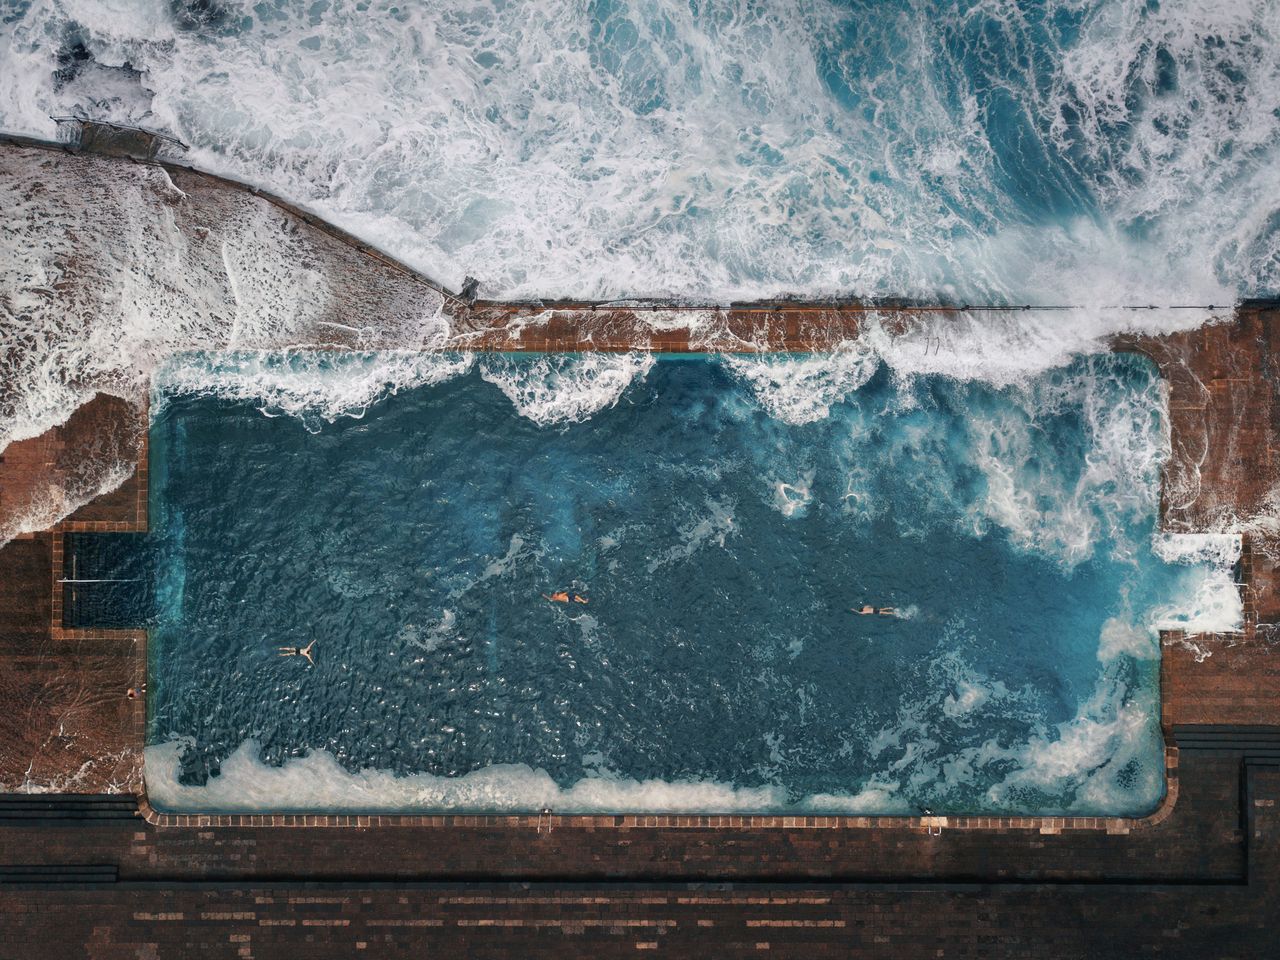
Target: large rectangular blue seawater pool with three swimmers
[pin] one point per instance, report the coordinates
(723, 516)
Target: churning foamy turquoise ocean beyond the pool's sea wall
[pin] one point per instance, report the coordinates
(733, 152)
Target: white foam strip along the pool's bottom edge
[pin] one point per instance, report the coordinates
(319, 784)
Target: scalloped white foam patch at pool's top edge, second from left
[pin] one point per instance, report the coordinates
(563, 388)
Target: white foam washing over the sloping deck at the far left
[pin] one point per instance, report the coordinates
(109, 271)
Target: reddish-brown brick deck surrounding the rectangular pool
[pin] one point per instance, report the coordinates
(1197, 880)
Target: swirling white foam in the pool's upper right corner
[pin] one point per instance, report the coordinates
(1049, 502)
